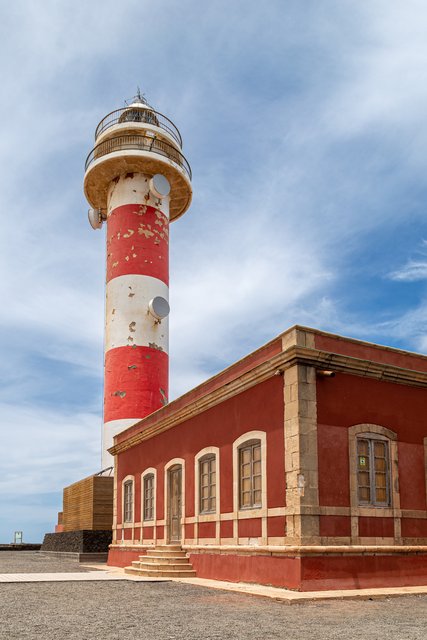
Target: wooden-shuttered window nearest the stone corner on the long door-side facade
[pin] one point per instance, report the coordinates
(250, 475)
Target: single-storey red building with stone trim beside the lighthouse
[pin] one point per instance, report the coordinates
(303, 465)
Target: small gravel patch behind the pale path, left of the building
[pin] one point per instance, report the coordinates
(34, 562)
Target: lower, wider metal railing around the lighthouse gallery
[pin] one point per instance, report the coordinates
(139, 143)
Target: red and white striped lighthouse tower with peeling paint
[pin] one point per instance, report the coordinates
(137, 180)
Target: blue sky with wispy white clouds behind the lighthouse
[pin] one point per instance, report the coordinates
(305, 126)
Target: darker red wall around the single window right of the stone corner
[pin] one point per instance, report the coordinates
(346, 400)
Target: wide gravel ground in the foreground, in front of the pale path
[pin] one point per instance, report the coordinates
(171, 610)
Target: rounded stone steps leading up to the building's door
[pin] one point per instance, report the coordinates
(163, 561)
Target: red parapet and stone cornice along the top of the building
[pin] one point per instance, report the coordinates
(297, 345)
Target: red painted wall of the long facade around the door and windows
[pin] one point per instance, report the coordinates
(219, 426)
